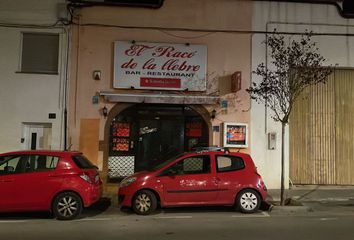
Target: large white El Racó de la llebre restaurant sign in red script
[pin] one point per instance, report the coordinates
(163, 66)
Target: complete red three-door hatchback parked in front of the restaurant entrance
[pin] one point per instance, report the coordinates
(204, 177)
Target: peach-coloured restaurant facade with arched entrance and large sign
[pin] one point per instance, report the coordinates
(149, 83)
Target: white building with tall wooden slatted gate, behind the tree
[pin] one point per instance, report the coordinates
(319, 138)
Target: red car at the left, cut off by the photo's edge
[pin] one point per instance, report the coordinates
(57, 181)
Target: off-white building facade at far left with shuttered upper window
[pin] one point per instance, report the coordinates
(33, 46)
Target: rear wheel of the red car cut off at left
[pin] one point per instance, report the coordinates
(67, 206)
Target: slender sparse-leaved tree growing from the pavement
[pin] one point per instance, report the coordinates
(294, 65)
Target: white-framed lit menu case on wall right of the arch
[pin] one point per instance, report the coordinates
(235, 135)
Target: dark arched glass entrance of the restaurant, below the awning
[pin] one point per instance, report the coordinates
(147, 134)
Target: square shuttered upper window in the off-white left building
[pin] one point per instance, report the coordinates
(40, 52)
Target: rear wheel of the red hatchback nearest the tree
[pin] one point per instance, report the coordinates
(248, 201)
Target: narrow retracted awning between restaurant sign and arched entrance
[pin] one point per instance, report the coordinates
(159, 98)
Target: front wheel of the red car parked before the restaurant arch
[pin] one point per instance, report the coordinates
(144, 202)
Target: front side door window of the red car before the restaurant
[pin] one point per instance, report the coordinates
(192, 165)
